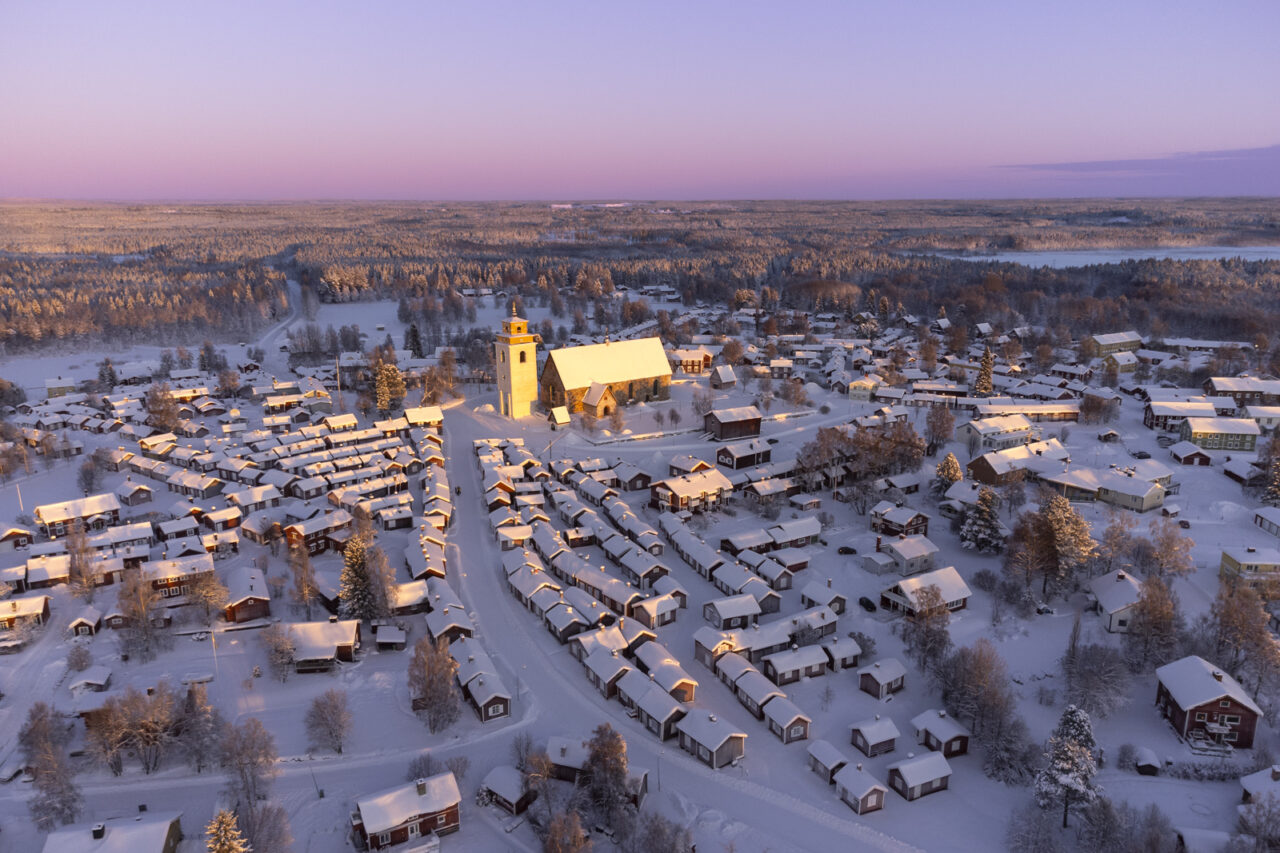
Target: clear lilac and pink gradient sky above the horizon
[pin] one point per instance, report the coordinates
(542, 99)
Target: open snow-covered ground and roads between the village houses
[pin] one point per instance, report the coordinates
(770, 802)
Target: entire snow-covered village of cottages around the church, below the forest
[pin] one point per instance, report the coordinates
(890, 582)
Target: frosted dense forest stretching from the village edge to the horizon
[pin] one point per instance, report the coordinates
(161, 272)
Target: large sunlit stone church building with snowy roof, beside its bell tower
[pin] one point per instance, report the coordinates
(629, 371)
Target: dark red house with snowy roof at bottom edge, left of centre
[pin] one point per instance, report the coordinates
(415, 813)
